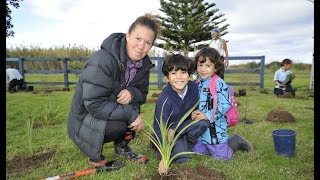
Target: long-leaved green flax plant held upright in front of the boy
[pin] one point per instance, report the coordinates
(165, 147)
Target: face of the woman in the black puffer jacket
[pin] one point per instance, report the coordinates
(139, 42)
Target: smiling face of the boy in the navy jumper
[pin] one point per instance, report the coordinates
(178, 80)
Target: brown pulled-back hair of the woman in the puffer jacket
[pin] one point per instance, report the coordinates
(146, 20)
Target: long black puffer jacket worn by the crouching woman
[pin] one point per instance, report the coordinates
(94, 100)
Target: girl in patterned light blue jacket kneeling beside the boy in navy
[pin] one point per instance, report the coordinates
(215, 139)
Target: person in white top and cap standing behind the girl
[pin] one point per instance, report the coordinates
(221, 46)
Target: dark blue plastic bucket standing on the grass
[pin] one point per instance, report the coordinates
(284, 142)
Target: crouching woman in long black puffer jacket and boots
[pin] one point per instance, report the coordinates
(111, 88)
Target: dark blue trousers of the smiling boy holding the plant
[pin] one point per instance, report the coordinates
(187, 139)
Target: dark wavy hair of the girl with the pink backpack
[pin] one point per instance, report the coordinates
(213, 55)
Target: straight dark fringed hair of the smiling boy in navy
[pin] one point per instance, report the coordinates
(177, 62)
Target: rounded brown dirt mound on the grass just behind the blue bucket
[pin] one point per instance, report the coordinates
(279, 115)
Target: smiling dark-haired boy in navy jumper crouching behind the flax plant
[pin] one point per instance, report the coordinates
(179, 96)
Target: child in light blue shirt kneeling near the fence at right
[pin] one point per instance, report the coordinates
(283, 78)
